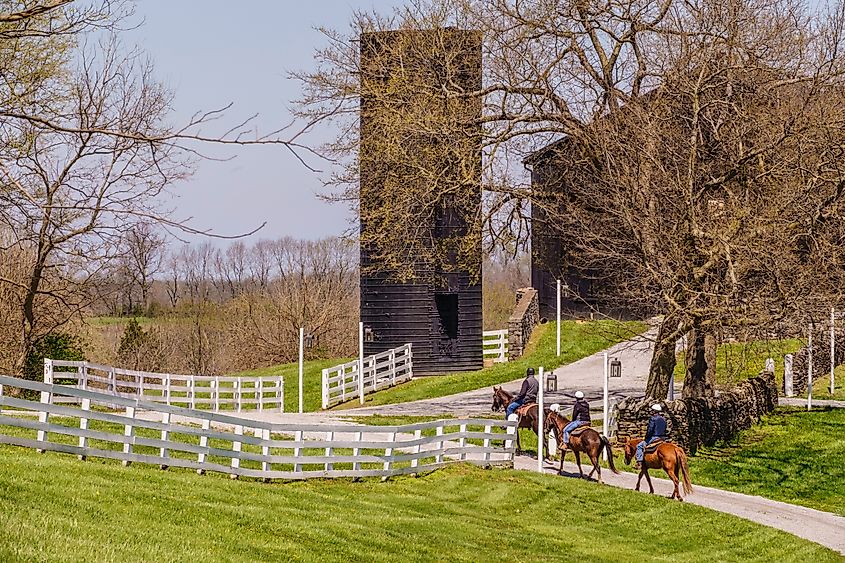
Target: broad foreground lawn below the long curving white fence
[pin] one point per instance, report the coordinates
(55, 508)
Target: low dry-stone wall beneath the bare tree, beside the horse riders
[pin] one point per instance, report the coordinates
(696, 422)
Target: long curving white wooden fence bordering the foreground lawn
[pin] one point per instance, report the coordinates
(169, 436)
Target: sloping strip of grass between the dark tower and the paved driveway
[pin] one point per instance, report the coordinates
(578, 340)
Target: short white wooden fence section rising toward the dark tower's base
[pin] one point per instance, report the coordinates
(386, 369)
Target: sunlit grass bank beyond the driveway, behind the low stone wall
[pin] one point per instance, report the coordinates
(736, 361)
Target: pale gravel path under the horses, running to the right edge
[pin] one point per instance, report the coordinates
(821, 527)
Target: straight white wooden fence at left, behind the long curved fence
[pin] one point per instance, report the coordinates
(193, 391)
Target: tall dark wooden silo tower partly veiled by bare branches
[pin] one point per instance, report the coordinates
(426, 288)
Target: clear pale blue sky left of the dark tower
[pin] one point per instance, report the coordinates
(213, 53)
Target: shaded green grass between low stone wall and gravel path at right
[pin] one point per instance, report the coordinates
(793, 455)
